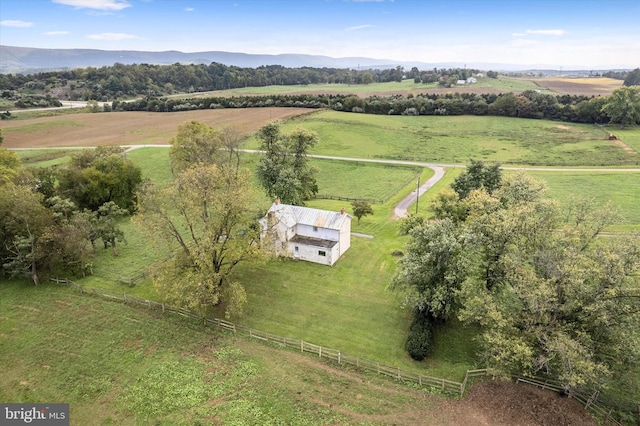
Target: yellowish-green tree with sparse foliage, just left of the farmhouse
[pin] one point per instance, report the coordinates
(206, 211)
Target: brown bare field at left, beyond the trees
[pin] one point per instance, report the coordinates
(131, 128)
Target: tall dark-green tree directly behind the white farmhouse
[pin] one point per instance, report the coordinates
(283, 170)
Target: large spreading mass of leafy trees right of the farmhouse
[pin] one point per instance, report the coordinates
(550, 296)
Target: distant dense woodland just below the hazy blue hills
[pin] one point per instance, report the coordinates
(126, 81)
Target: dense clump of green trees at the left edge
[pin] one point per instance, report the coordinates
(51, 220)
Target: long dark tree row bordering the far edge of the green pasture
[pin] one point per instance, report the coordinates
(621, 107)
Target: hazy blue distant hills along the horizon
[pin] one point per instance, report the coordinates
(26, 60)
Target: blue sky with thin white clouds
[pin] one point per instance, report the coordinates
(563, 33)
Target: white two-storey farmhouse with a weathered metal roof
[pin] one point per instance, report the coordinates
(304, 233)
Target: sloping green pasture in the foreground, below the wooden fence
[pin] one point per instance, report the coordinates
(117, 364)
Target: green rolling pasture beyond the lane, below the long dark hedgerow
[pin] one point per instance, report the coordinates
(456, 139)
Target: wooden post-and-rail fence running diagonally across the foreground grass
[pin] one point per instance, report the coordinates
(588, 400)
